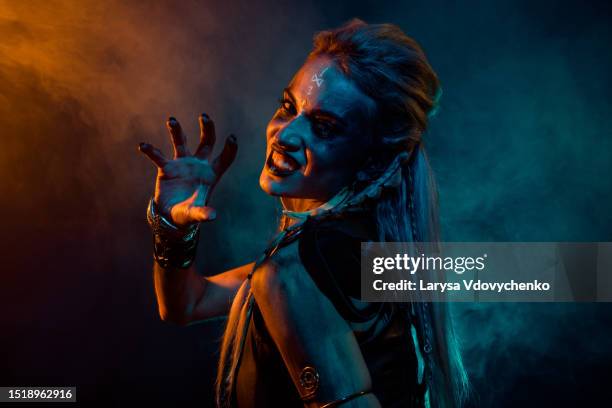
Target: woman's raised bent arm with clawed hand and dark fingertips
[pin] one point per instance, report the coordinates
(182, 191)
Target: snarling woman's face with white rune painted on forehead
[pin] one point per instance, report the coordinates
(319, 136)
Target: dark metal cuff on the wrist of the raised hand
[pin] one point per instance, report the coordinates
(173, 246)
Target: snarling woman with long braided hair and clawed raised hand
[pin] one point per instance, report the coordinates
(345, 156)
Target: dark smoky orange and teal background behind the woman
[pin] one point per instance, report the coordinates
(521, 148)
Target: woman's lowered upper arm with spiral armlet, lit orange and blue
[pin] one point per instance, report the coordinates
(316, 343)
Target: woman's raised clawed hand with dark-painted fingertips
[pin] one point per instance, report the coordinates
(184, 184)
